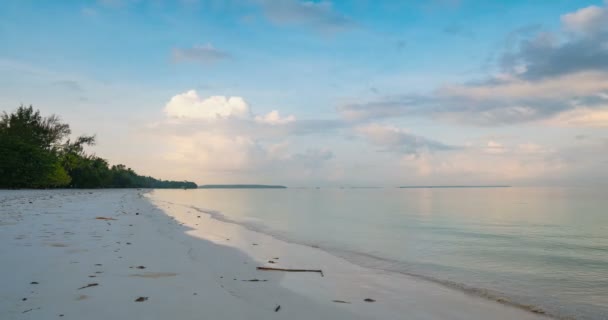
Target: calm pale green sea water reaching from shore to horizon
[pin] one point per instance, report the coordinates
(544, 248)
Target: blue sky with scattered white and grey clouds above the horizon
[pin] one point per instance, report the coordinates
(322, 93)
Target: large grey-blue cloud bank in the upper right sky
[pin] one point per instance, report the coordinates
(542, 76)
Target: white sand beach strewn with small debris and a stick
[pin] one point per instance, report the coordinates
(59, 261)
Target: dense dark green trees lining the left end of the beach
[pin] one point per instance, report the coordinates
(36, 152)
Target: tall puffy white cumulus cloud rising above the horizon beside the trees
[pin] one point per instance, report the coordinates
(220, 136)
